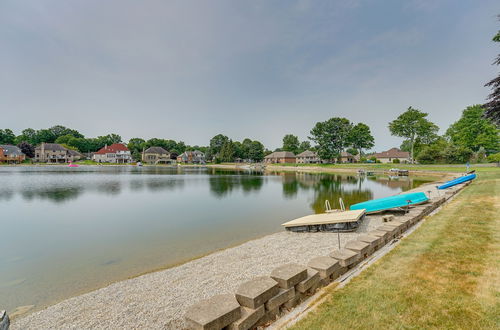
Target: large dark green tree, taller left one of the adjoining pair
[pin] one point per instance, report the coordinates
(331, 137)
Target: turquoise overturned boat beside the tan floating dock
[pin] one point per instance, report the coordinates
(392, 202)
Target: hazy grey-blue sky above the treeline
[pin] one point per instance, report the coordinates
(188, 70)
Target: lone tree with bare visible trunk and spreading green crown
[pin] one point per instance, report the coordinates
(411, 125)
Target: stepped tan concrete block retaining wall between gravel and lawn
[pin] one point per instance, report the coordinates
(260, 301)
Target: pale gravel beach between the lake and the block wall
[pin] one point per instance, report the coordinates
(158, 300)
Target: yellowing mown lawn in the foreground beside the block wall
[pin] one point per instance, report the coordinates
(445, 275)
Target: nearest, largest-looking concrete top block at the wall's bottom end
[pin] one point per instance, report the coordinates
(213, 313)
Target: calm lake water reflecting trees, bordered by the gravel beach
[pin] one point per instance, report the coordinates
(64, 231)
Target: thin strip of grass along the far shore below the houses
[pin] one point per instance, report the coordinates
(433, 168)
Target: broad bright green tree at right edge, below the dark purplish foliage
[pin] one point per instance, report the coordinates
(473, 131)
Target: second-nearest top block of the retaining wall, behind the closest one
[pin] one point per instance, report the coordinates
(256, 292)
